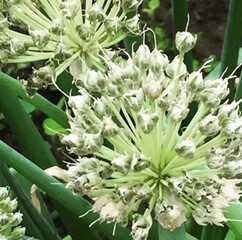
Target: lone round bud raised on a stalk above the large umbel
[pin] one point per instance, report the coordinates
(185, 41)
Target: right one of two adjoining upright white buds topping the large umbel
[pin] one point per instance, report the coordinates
(158, 62)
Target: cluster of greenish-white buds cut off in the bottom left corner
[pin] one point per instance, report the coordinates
(9, 219)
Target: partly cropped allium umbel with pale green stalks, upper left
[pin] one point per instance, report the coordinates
(69, 32)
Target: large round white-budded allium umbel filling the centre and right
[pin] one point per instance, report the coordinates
(134, 150)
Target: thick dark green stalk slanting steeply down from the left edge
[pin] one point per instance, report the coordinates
(30, 140)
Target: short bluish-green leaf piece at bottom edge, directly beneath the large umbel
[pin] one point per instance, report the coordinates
(177, 234)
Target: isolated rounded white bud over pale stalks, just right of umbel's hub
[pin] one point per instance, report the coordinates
(186, 148)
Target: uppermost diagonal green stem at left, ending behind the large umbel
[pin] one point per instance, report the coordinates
(38, 101)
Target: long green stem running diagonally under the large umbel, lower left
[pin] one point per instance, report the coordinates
(76, 205)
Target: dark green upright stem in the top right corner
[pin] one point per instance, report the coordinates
(232, 40)
